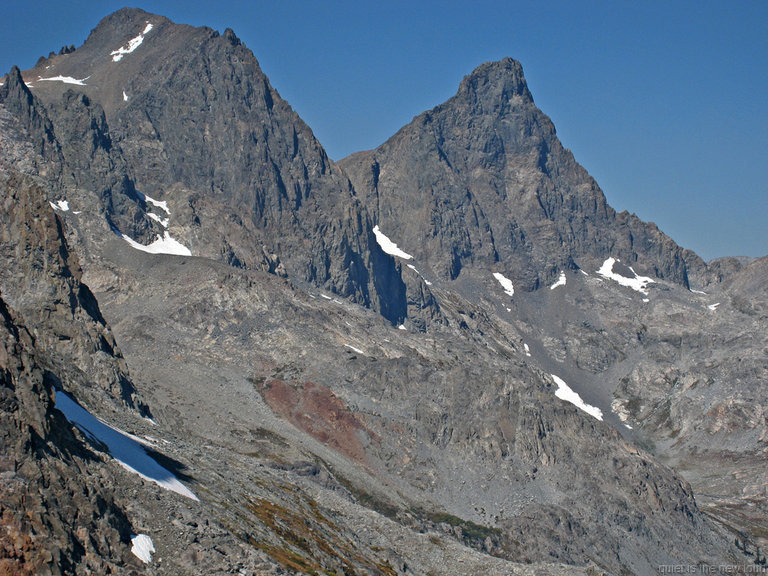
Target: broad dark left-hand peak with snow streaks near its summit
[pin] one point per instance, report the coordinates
(201, 128)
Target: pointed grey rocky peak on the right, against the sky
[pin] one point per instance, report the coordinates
(482, 179)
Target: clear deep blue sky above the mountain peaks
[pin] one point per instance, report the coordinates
(664, 103)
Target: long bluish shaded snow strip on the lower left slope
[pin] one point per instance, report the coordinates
(121, 446)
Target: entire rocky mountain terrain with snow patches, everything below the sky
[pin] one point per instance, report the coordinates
(224, 353)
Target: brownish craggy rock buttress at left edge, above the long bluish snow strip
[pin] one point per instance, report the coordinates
(41, 277)
